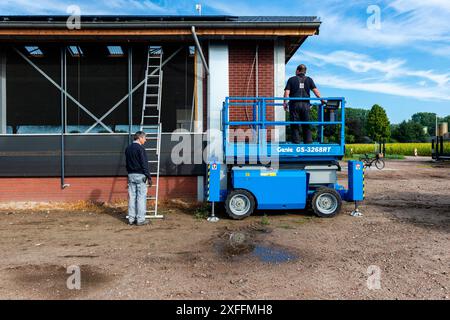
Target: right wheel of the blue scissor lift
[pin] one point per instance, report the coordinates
(326, 203)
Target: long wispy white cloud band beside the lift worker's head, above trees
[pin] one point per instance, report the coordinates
(391, 76)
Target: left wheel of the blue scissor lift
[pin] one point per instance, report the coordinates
(240, 204)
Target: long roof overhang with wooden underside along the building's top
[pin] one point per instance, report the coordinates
(168, 28)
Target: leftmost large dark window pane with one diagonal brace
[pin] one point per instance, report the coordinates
(33, 103)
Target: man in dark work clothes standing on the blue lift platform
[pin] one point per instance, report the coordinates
(300, 87)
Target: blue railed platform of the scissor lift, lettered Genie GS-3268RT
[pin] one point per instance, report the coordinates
(288, 152)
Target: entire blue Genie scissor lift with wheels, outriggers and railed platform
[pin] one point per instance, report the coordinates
(258, 171)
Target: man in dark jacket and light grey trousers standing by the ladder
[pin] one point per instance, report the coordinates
(138, 176)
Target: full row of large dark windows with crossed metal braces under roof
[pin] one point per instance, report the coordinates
(97, 78)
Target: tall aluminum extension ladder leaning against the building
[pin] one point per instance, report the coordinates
(151, 124)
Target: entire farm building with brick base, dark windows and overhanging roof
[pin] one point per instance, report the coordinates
(71, 98)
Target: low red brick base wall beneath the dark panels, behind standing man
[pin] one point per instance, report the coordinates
(107, 189)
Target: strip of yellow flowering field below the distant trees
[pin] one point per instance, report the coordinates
(403, 149)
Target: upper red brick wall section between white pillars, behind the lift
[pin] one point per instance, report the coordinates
(242, 78)
